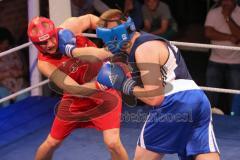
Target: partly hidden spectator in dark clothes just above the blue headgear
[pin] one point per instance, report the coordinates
(132, 8)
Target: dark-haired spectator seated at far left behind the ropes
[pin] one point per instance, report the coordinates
(11, 79)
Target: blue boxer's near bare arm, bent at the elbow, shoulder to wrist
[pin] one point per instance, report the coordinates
(152, 91)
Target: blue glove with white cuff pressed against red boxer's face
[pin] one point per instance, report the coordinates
(66, 42)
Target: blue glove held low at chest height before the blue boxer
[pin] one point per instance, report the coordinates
(112, 75)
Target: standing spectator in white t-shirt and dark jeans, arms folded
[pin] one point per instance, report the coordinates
(222, 27)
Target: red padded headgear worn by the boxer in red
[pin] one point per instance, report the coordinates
(40, 29)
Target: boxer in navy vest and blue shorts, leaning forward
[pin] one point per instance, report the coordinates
(180, 119)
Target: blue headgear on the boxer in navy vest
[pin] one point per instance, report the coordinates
(117, 38)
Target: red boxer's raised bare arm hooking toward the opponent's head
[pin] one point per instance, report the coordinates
(79, 24)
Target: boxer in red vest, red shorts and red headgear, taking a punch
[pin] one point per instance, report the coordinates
(95, 106)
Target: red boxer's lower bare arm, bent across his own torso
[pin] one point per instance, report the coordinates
(64, 81)
